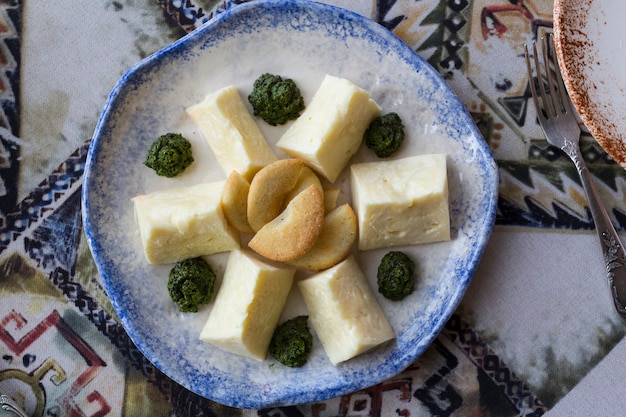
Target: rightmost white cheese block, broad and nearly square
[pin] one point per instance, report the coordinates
(401, 202)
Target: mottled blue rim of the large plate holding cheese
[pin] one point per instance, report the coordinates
(202, 384)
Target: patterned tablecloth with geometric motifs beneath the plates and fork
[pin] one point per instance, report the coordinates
(535, 333)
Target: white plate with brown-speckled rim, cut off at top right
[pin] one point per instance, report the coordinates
(591, 49)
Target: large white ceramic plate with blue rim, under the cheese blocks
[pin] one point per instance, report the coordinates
(302, 40)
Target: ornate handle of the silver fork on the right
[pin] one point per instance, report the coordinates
(612, 249)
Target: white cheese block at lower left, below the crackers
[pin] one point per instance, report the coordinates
(248, 305)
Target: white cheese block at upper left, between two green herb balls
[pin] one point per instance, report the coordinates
(232, 133)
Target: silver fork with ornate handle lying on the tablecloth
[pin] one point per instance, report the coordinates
(558, 121)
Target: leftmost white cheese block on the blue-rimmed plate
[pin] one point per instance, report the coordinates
(181, 223)
